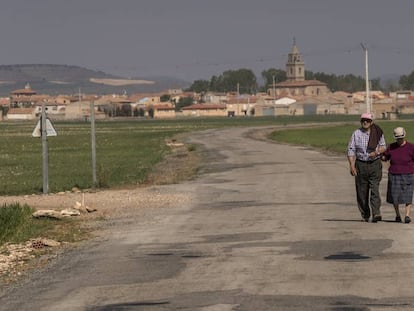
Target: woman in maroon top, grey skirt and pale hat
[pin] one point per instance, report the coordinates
(400, 186)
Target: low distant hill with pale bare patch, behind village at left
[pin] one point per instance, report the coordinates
(65, 79)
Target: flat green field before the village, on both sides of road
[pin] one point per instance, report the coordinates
(126, 151)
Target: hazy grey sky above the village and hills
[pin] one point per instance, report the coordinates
(195, 39)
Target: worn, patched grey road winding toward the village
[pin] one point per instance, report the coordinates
(268, 227)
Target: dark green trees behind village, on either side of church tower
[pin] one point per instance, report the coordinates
(244, 81)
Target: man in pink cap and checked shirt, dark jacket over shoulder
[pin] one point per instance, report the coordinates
(364, 151)
